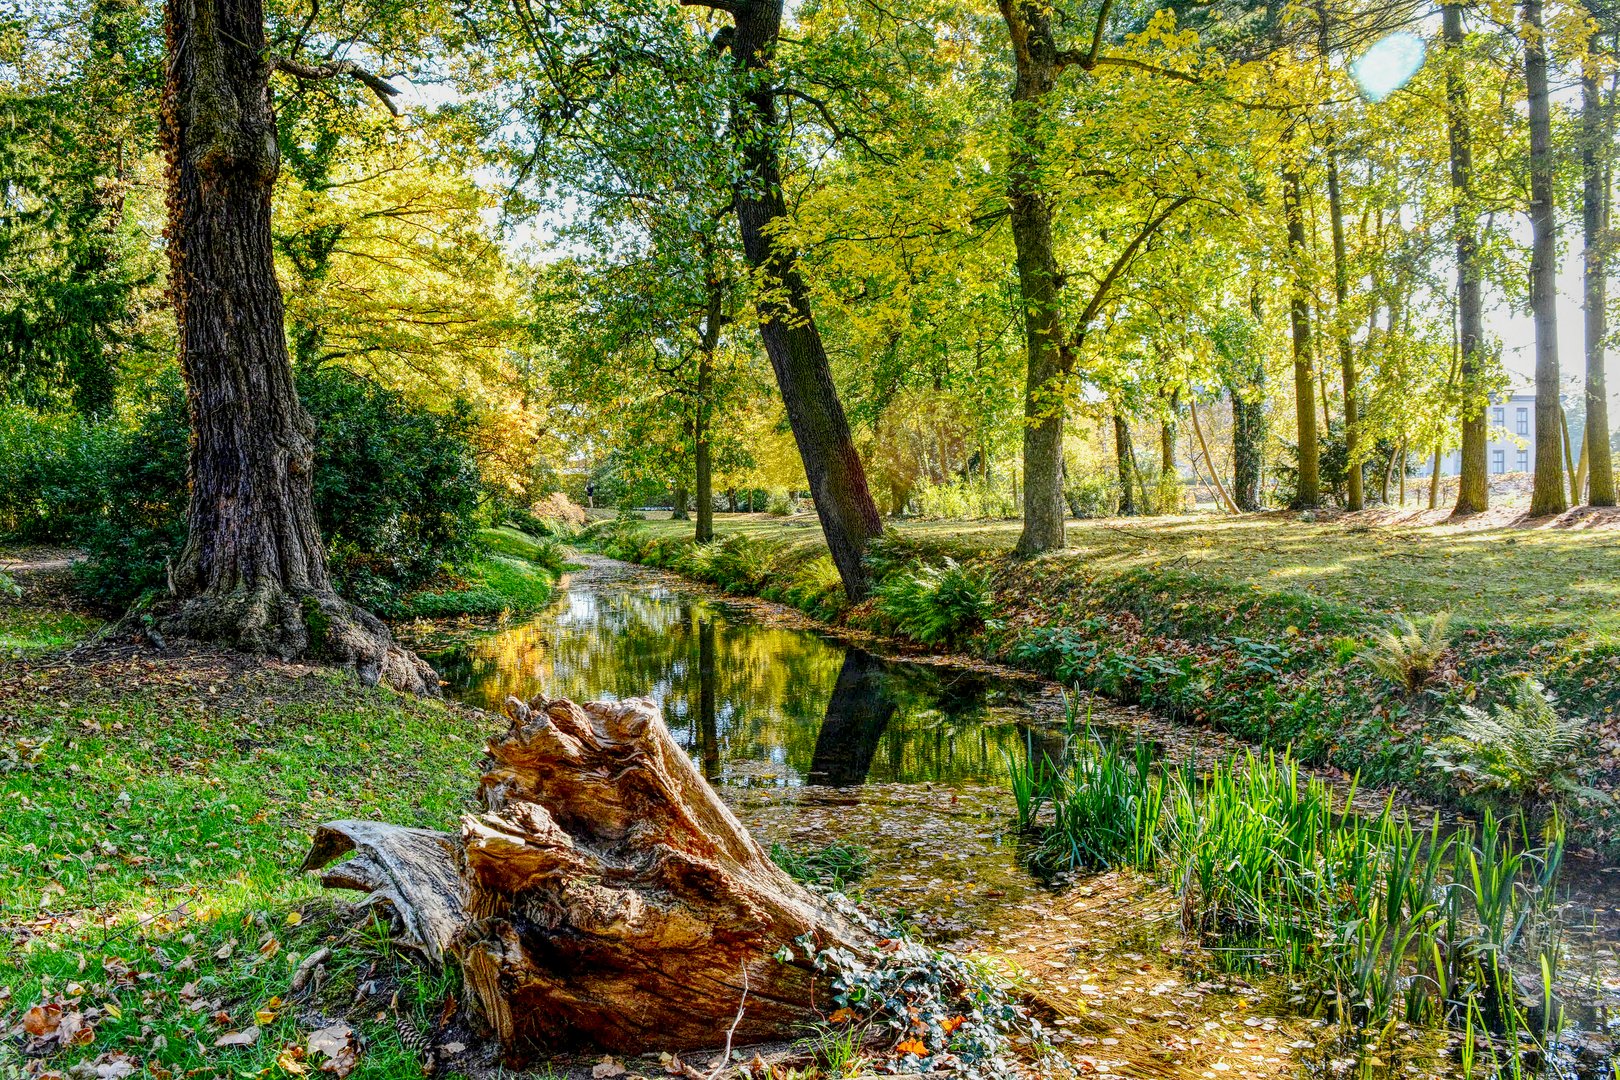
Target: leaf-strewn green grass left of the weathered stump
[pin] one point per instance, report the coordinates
(156, 819)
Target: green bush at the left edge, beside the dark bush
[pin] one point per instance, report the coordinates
(54, 467)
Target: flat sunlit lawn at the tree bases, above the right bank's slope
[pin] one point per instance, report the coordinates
(1540, 577)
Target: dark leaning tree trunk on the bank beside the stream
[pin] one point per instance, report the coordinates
(838, 482)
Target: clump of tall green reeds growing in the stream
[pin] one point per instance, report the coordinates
(1375, 919)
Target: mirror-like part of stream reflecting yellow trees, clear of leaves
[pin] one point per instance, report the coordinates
(752, 704)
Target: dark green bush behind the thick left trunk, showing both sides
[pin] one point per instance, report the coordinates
(396, 493)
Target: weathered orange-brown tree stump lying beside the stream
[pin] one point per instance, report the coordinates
(607, 896)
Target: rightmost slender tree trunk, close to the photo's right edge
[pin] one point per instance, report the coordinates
(1597, 163)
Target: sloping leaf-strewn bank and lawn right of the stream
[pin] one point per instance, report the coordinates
(1261, 627)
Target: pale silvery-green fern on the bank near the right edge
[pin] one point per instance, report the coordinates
(1520, 752)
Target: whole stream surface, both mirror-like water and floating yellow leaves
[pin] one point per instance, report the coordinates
(817, 741)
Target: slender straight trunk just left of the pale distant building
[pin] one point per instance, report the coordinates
(1472, 487)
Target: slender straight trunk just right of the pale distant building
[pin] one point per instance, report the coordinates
(1548, 491)
